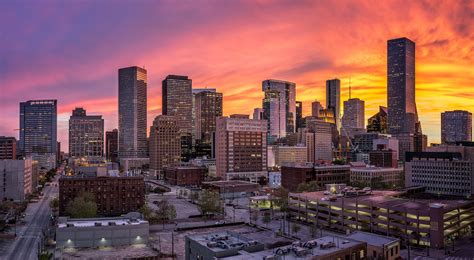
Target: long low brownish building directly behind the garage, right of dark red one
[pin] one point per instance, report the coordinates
(377, 177)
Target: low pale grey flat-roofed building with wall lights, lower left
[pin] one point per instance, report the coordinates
(129, 229)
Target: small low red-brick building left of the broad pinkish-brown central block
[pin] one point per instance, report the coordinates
(184, 175)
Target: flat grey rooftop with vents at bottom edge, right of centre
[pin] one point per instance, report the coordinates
(340, 243)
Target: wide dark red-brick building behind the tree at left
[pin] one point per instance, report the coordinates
(114, 196)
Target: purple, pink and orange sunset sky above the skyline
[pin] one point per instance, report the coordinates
(71, 51)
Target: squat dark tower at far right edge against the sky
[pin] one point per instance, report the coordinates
(456, 126)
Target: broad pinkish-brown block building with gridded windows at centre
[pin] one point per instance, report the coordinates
(241, 148)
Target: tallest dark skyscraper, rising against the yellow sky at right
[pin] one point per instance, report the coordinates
(402, 113)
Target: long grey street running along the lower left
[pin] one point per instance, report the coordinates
(30, 235)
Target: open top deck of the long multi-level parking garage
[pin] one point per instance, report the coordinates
(385, 199)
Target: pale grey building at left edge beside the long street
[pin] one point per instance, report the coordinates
(15, 179)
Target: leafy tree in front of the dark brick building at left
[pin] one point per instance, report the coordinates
(83, 206)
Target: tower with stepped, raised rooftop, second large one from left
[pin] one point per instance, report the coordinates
(86, 134)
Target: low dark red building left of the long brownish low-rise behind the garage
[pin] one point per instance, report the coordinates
(295, 174)
